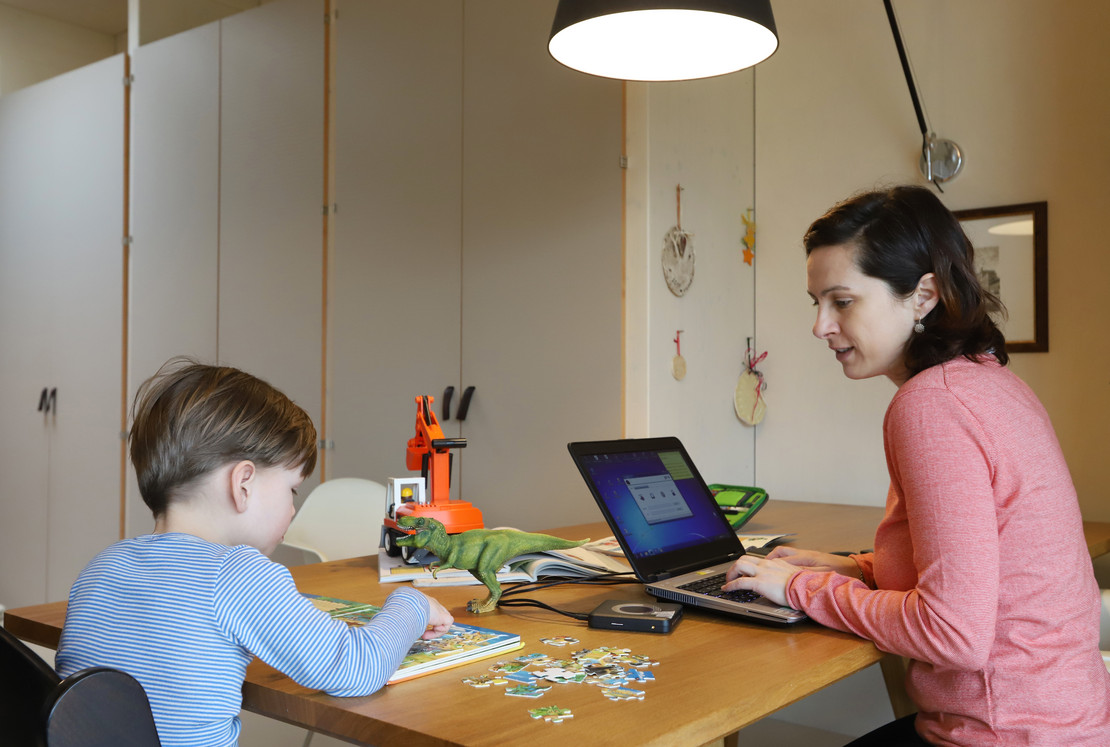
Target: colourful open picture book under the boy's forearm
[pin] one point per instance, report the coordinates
(460, 645)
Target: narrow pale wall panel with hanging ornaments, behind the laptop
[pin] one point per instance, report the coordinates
(699, 136)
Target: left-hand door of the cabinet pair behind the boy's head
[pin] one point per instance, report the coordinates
(175, 215)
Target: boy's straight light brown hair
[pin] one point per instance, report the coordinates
(191, 419)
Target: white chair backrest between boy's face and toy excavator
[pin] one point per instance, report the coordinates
(341, 518)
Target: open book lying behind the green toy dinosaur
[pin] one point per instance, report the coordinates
(572, 563)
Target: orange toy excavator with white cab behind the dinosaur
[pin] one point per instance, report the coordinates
(430, 452)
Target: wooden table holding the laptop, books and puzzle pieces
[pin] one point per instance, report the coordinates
(715, 675)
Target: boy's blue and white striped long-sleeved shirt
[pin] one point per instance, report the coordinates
(186, 618)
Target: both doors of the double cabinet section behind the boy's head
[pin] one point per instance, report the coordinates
(228, 161)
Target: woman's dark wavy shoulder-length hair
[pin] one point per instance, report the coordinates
(902, 235)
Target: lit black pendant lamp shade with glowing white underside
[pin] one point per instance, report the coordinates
(662, 41)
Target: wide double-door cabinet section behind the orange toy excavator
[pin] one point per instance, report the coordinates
(479, 226)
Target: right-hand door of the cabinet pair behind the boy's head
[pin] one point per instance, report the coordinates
(271, 198)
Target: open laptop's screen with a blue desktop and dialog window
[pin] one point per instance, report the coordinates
(657, 503)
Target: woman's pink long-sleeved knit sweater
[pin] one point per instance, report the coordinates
(981, 570)
